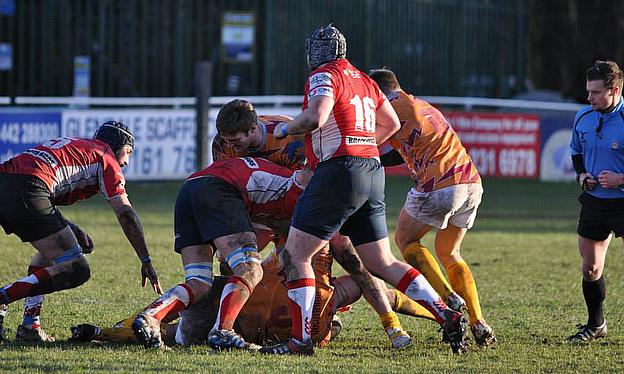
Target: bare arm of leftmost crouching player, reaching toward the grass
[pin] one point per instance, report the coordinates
(132, 228)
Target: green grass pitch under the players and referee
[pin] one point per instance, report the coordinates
(522, 251)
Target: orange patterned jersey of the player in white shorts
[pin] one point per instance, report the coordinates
(432, 150)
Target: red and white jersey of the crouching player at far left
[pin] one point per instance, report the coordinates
(72, 169)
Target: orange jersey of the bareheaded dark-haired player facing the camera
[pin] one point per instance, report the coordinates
(287, 151)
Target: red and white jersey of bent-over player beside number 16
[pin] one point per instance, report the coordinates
(268, 190)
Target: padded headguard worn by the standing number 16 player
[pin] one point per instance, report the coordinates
(325, 44)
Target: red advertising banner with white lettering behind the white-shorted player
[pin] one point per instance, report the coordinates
(500, 144)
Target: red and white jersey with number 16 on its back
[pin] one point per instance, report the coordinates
(350, 128)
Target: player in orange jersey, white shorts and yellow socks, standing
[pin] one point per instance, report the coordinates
(446, 196)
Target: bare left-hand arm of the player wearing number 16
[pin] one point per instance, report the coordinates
(313, 117)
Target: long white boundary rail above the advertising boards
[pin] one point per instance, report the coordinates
(275, 101)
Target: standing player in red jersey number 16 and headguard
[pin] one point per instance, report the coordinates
(344, 117)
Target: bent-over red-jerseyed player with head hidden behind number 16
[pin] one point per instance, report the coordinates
(211, 213)
